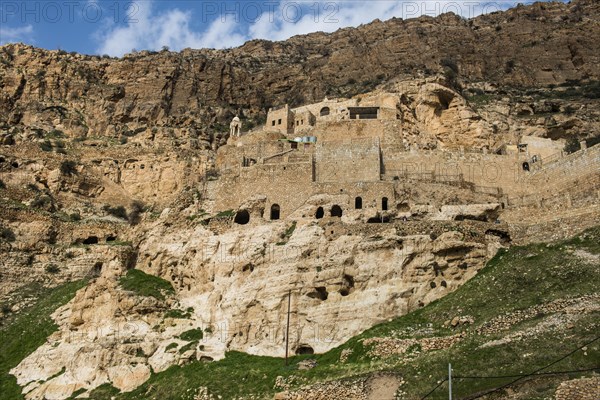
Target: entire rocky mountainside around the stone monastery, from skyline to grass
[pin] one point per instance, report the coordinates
(106, 168)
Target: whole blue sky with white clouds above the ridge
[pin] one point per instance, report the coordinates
(116, 27)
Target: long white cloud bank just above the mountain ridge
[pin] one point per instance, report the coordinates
(154, 29)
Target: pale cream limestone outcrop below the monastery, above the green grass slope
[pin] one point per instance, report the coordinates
(235, 285)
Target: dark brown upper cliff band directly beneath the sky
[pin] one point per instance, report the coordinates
(185, 98)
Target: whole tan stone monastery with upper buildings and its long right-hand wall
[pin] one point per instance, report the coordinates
(359, 157)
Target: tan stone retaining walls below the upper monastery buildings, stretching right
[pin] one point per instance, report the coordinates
(370, 161)
